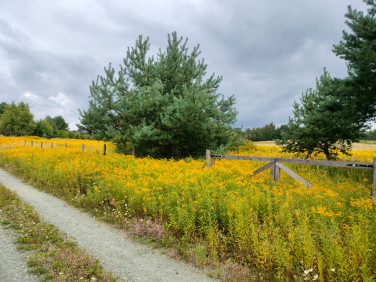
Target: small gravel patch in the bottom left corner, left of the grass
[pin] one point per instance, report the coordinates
(13, 264)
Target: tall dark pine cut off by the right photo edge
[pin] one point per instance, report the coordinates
(358, 48)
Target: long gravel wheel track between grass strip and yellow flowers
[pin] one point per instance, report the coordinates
(114, 250)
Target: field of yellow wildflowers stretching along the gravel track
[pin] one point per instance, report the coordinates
(278, 230)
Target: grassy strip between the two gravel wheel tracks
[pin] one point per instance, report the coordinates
(52, 255)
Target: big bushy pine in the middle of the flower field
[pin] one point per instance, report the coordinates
(165, 106)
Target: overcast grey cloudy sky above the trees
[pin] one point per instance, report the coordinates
(268, 52)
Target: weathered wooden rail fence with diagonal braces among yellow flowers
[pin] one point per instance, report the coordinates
(275, 165)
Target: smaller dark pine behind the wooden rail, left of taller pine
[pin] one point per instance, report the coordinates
(320, 124)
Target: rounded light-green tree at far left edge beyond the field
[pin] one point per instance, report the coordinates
(17, 120)
